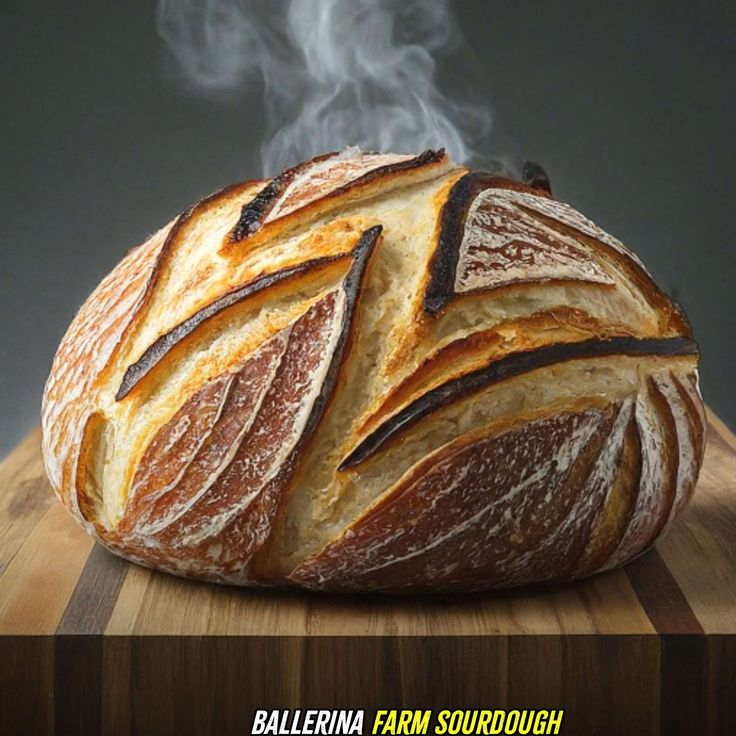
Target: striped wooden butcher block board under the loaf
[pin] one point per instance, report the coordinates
(90, 643)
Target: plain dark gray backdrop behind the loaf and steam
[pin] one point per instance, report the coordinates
(629, 105)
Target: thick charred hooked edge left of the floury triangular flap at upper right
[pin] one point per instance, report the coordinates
(440, 287)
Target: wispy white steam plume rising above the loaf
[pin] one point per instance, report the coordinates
(333, 72)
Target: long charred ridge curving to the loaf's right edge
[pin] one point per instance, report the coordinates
(510, 367)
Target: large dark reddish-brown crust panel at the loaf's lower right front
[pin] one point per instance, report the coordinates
(503, 522)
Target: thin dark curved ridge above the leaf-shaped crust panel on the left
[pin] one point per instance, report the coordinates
(161, 347)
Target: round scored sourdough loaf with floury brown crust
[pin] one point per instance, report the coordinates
(377, 372)
